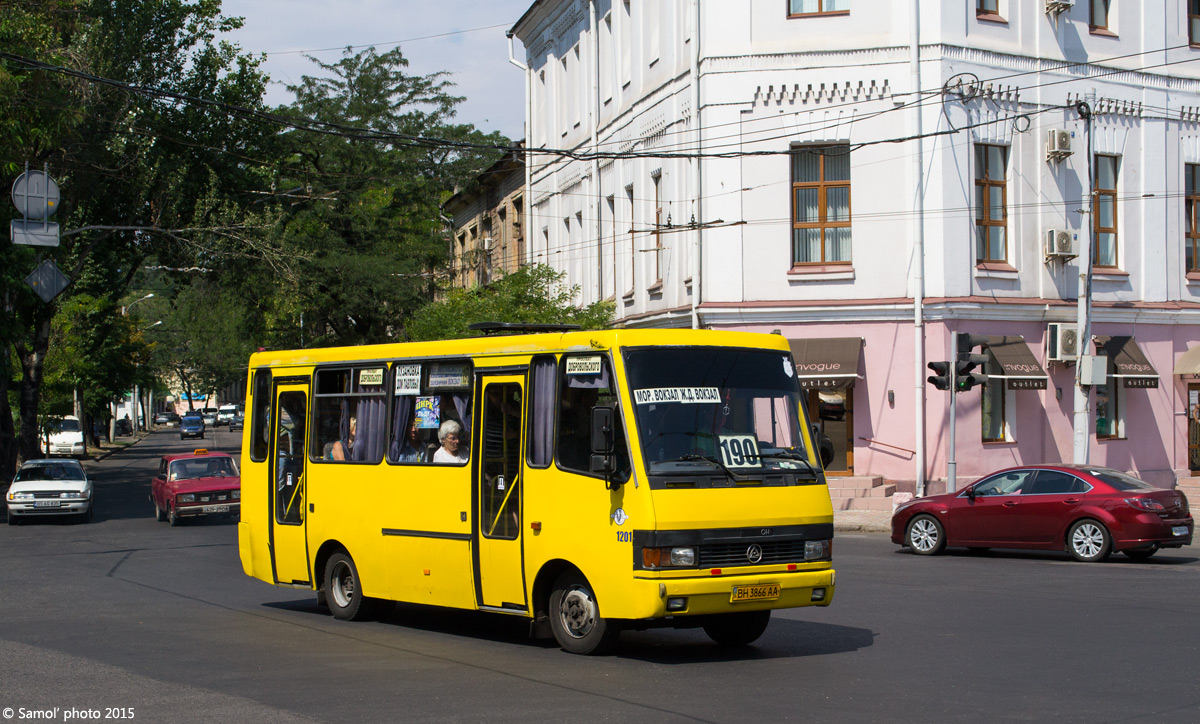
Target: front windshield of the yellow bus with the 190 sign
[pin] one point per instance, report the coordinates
(734, 412)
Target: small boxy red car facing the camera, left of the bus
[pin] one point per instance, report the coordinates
(196, 484)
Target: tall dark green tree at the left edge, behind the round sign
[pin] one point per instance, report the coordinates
(142, 175)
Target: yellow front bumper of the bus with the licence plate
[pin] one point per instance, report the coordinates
(731, 594)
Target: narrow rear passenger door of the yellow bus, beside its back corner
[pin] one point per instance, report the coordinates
(290, 546)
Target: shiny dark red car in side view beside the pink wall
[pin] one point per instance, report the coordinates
(1088, 511)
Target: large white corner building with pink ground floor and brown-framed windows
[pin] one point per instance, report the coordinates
(872, 177)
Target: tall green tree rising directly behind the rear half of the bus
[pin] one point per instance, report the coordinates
(362, 211)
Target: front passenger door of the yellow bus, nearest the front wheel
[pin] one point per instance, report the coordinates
(500, 576)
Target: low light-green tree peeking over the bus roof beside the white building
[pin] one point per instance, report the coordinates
(532, 295)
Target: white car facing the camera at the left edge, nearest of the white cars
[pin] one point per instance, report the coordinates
(45, 488)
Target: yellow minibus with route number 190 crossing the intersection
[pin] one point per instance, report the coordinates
(591, 482)
